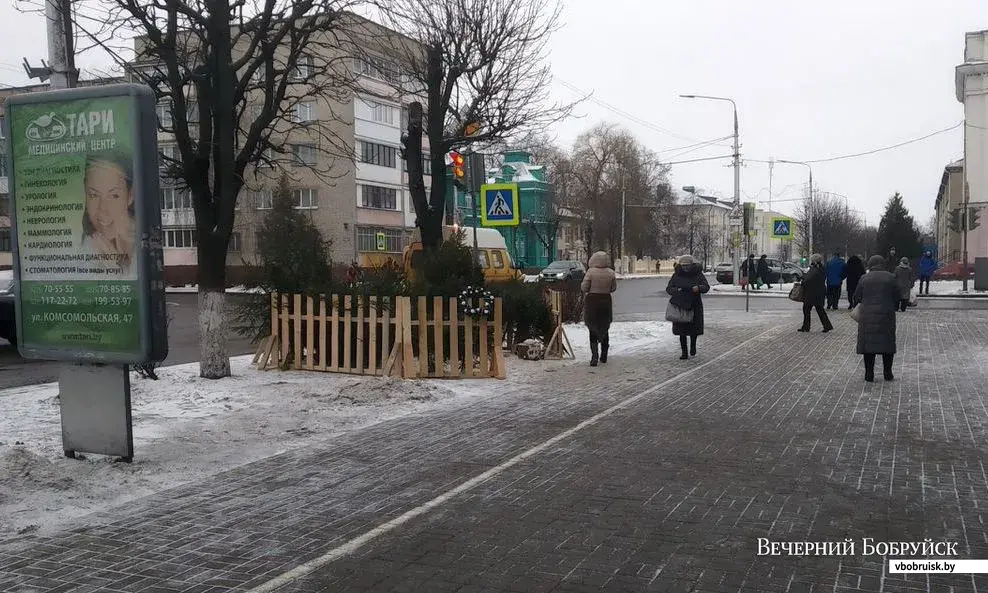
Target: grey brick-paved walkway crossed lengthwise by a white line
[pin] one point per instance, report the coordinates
(779, 439)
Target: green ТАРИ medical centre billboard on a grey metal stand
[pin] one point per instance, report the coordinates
(88, 263)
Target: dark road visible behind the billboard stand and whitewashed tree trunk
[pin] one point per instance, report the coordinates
(183, 347)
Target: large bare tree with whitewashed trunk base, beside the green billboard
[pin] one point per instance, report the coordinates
(238, 81)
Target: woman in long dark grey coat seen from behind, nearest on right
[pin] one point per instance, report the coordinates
(879, 295)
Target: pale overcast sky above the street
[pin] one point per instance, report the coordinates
(812, 80)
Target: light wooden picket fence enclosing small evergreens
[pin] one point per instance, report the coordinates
(383, 336)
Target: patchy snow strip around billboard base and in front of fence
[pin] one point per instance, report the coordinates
(187, 428)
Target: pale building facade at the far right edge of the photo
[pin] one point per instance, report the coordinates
(971, 86)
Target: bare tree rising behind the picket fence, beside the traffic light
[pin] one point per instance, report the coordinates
(481, 67)
